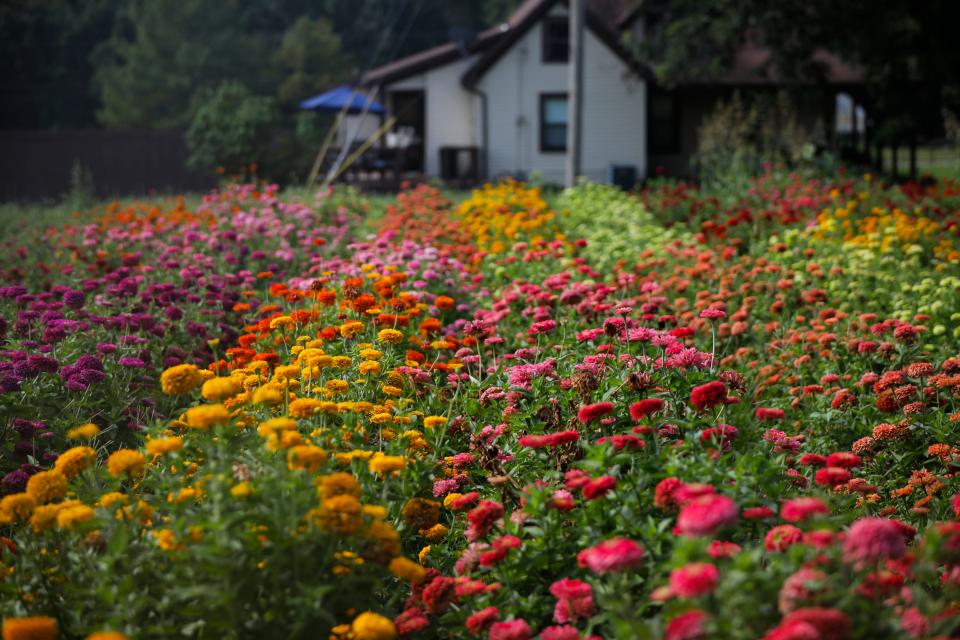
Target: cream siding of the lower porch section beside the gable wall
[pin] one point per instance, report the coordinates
(449, 110)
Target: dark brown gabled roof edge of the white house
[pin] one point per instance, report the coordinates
(491, 44)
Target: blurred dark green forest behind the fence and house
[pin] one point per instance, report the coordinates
(148, 63)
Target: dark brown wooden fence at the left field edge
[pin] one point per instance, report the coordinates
(38, 165)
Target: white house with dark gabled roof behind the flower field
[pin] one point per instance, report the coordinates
(496, 105)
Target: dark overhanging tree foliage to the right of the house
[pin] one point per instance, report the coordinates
(907, 49)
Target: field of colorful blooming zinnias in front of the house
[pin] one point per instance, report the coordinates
(670, 415)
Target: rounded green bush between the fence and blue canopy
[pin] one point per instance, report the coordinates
(231, 128)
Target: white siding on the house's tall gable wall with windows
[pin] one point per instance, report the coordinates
(614, 115)
